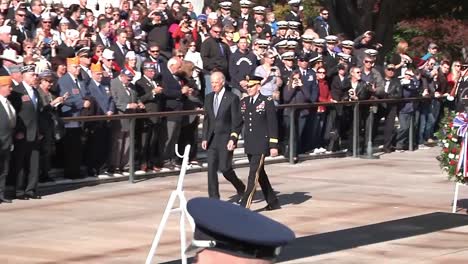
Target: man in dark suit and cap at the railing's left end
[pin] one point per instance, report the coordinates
(25, 162)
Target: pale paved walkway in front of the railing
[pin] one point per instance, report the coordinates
(342, 210)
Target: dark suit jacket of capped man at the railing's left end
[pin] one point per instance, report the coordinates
(27, 115)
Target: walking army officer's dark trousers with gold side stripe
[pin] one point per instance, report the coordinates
(257, 175)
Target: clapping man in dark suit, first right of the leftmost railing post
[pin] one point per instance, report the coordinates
(150, 93)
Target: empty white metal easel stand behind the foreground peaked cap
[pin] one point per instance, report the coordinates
(177, 194)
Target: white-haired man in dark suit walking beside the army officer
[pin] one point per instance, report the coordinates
(221, 126)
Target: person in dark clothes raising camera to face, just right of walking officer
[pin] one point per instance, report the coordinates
(295, 93)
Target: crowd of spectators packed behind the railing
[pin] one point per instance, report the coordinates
(152, 57)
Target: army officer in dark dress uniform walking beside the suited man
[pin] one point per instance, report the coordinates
(261, 139)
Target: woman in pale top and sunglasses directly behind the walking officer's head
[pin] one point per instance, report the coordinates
(271, 81)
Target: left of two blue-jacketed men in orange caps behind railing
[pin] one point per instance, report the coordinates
(77, 103)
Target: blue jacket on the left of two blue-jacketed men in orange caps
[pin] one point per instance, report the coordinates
(73, 106)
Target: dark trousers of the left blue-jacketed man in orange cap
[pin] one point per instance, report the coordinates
(72, 152)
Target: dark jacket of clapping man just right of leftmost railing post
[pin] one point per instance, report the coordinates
(153, 103)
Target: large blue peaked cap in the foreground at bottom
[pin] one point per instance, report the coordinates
(235, 230)
